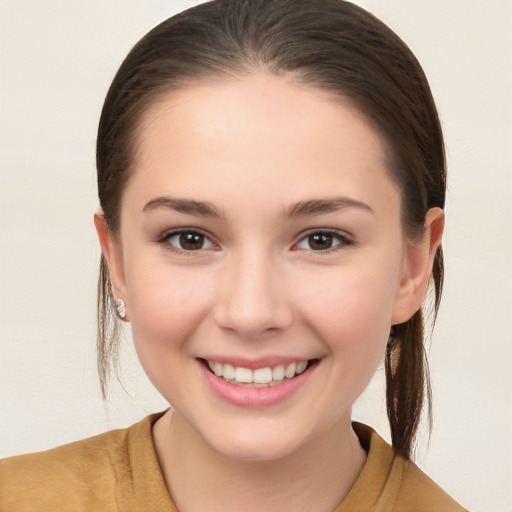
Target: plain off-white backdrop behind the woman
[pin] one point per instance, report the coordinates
(57, 60)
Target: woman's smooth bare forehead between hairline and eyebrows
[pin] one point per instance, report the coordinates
(258, 134)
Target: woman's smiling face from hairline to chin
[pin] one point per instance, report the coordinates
(260, 233)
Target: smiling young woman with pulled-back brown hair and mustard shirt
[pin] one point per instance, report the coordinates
(271, 176)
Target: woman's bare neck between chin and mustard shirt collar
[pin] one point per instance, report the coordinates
(316, 477)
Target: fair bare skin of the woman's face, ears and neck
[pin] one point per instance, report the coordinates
(253, 148)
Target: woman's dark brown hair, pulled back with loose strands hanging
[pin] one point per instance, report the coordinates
(330, 44)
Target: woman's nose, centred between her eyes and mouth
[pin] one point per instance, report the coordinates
(253, 299)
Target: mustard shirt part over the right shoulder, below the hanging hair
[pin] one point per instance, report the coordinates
(389, 482)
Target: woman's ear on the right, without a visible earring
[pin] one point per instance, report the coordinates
(418, 263)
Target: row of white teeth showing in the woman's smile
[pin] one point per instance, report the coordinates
(260, 377)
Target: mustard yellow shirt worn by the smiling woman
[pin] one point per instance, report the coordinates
(119, 471)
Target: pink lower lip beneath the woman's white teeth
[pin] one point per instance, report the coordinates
(242, 396)
